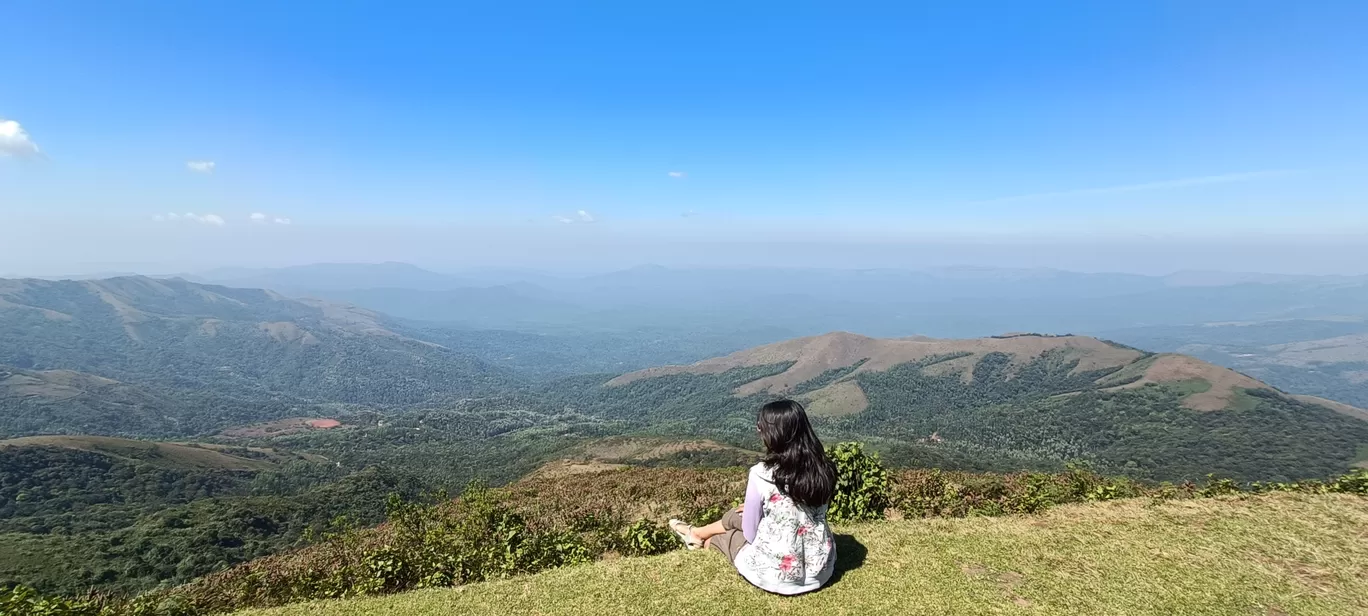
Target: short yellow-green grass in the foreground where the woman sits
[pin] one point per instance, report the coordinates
(1267, 555)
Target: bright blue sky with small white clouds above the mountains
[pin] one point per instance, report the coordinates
(449, 131)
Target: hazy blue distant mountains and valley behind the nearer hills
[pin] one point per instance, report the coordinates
(1213, 316)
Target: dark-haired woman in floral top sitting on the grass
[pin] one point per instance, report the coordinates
(779, 540)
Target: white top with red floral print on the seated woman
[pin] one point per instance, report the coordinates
(794, 550)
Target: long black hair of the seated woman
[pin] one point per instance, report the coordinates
(795, 455)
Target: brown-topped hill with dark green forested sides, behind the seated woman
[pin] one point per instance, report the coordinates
(1014, 400)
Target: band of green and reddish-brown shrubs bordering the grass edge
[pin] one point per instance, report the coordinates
(551, 522)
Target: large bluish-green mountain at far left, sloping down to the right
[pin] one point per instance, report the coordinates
(173, 337)
